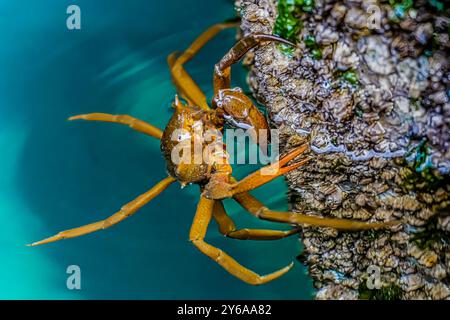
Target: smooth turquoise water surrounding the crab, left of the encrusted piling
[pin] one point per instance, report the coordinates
(57, 175)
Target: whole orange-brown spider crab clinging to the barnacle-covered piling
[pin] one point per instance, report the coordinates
(214, 177)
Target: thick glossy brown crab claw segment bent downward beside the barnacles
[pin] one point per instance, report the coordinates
(240, 112)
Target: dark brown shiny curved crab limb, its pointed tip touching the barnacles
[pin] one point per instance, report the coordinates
(222, 70)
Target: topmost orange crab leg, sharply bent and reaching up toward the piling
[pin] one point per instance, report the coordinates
(188, 89)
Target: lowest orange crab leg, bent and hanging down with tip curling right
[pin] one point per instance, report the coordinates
(197, 234)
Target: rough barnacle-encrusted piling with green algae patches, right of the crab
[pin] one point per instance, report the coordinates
(368, 89)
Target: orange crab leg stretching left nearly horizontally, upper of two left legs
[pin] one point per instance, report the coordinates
(125, 119)
